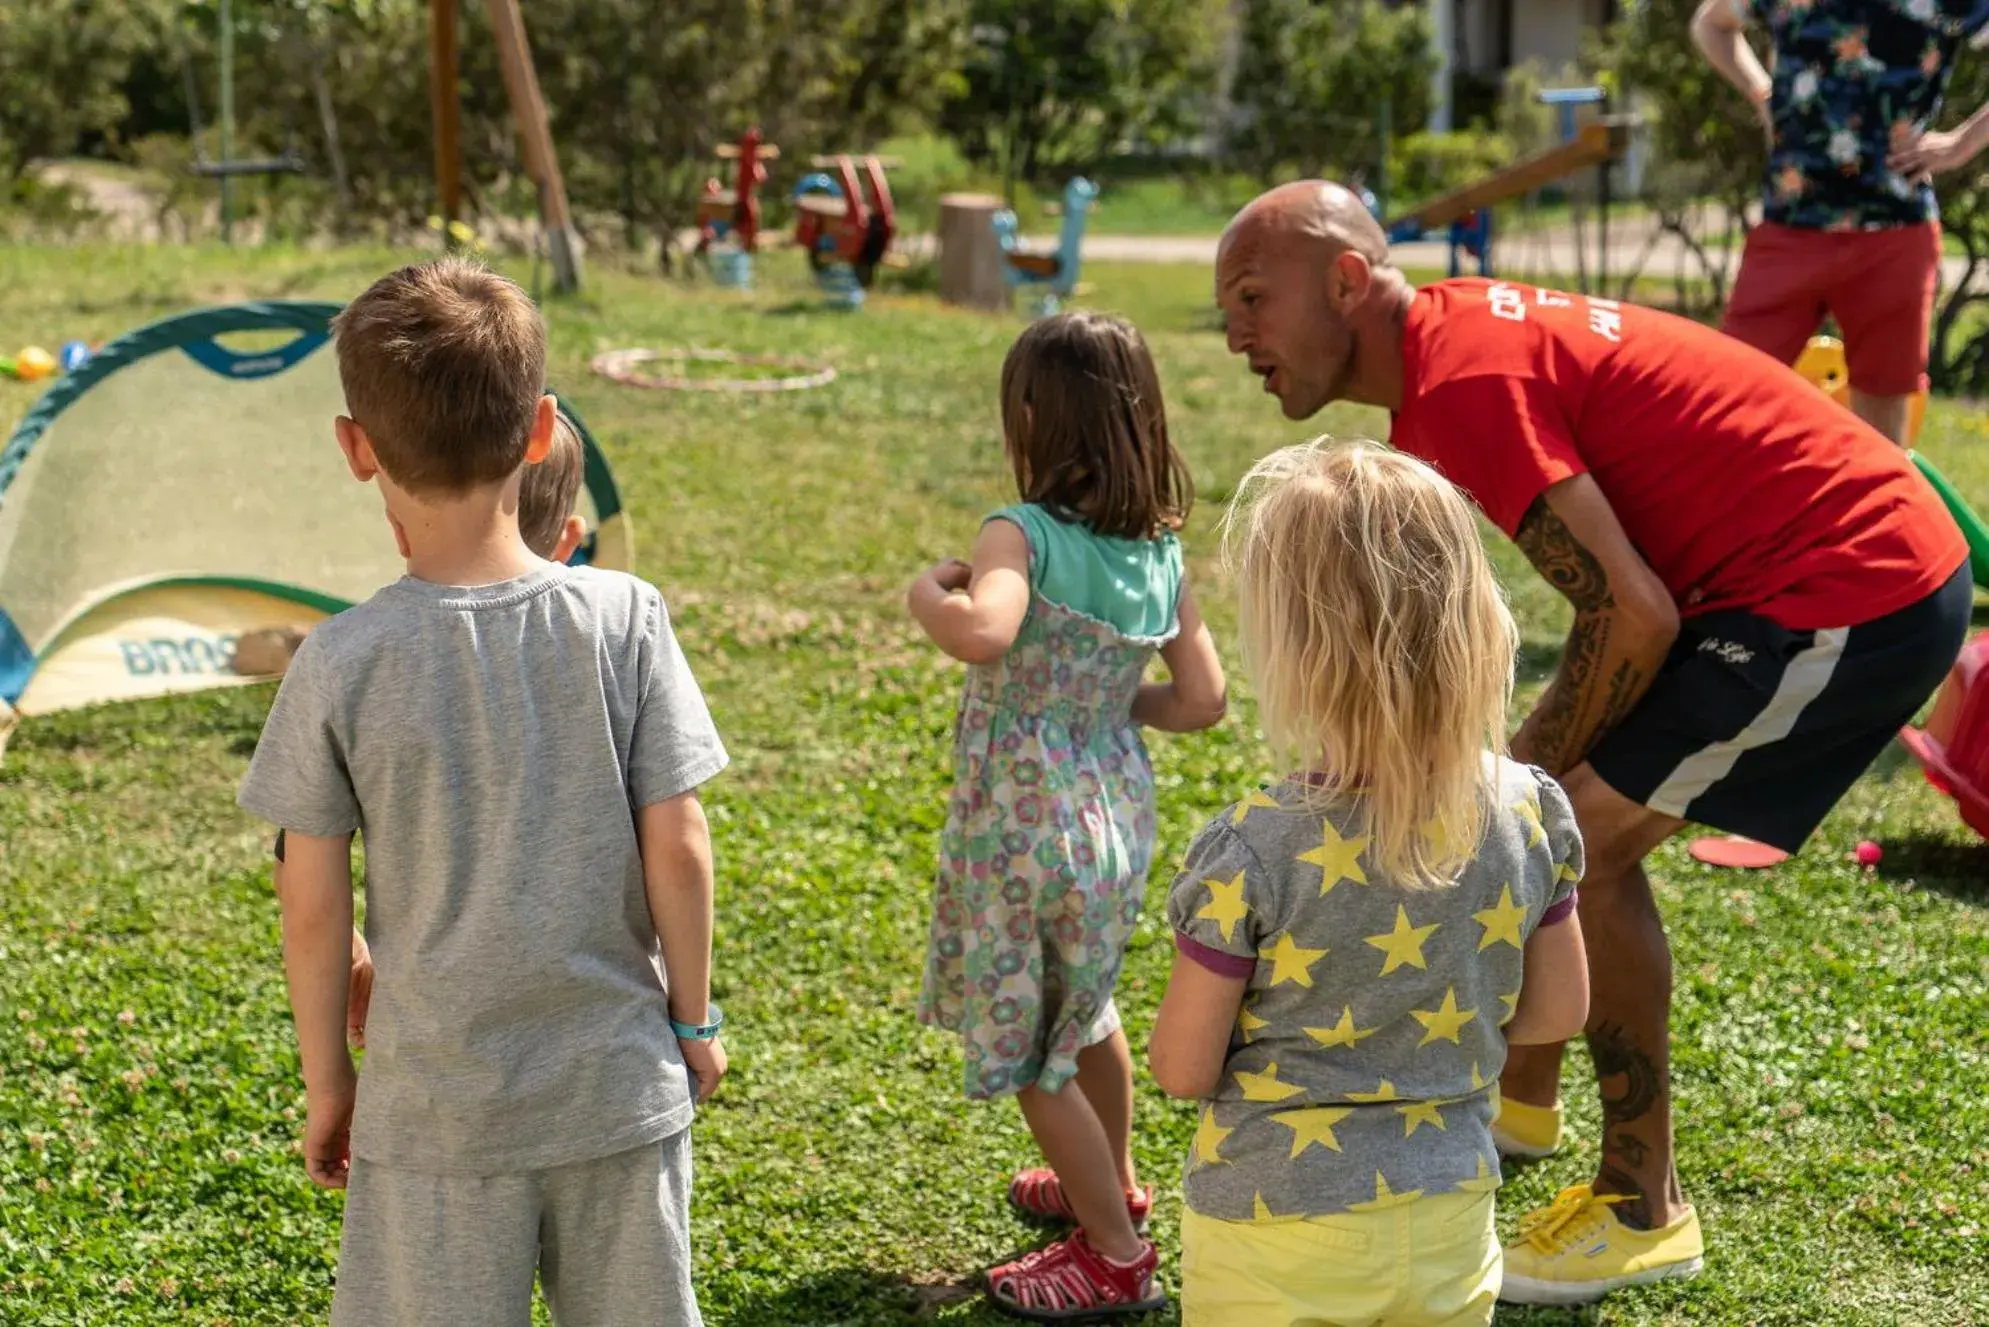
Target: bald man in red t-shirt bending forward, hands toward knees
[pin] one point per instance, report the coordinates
(1765, 590)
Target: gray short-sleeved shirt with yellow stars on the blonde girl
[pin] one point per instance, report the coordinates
(1365, 1061)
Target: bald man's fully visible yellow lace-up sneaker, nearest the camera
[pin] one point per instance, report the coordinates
(1576, 1252)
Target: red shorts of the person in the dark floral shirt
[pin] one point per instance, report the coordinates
(1879, 285)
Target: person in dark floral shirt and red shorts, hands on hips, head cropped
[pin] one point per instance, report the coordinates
(1849, 224)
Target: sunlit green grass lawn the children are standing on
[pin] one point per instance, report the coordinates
(1833, 1024)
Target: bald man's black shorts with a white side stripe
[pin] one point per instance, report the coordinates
(1755, 729)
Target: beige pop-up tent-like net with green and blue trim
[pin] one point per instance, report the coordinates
(182, 488)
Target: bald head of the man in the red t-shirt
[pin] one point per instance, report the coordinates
(1306, 291)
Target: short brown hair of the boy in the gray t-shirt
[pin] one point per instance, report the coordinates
(445, 367)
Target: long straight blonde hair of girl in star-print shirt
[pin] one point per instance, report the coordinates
(1381, 646)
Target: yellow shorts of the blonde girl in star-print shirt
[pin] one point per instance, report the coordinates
(1429, 1262)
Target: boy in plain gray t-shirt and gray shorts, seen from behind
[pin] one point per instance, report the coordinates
(520, 745)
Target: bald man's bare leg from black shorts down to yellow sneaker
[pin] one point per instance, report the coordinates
(1630, 1000)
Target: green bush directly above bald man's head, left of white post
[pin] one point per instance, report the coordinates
(1314, 79)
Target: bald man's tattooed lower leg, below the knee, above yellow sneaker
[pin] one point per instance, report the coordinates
(1630, 1042)
